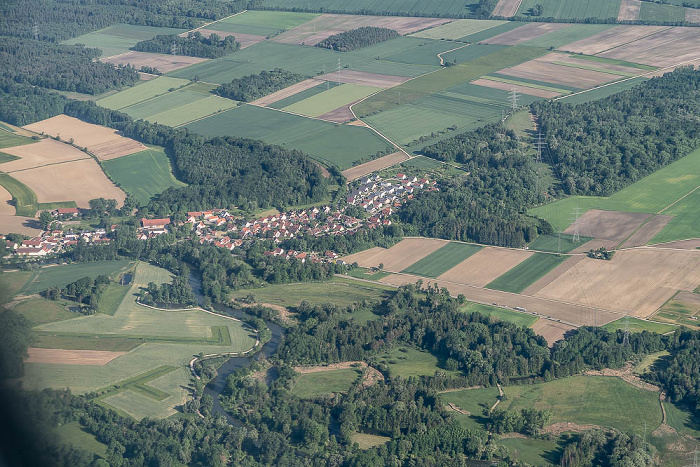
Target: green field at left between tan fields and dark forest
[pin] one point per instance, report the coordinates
(143, 175)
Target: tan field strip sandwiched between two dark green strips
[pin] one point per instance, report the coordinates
(485, 265)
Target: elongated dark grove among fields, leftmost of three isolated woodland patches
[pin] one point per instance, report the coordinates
(194, 45)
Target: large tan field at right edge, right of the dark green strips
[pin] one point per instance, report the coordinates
(637, 281)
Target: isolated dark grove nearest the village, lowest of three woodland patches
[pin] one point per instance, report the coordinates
(251, 87)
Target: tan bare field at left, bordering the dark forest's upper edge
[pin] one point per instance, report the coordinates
(105, 143)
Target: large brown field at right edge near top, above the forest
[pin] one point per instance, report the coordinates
(666, 48)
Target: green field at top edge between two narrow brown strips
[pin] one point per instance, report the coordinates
(573, 9)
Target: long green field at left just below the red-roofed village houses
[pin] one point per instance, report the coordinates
(59, 276)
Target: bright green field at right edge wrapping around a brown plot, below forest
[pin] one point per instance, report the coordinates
(652, 194)
